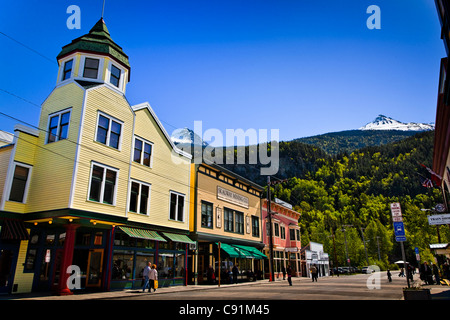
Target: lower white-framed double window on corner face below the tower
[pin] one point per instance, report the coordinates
(103, 184)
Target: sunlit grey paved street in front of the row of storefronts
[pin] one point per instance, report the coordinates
(352, 287)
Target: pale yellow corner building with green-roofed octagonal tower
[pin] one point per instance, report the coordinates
(99, 189)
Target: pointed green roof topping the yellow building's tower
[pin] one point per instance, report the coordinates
(97, 41)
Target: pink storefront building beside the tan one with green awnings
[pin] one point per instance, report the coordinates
(286, 239)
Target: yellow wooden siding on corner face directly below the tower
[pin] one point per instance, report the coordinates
(102, 99)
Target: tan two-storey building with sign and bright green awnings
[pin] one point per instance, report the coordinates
(226, 224)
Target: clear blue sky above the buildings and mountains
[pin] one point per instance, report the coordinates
(301, 66)
